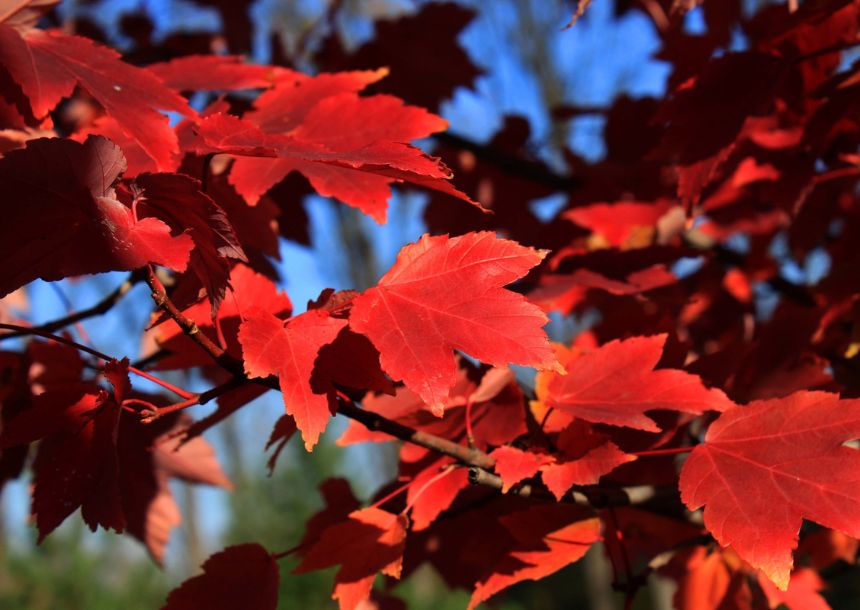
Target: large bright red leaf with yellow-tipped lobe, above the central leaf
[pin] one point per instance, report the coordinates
(349, 147)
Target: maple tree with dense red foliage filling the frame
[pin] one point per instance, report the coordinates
(692, 431)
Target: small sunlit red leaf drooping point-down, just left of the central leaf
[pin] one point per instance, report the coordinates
(270, 347)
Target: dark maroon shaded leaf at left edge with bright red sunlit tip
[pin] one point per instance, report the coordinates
(66, 219)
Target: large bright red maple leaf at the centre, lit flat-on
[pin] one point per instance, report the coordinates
(444, 294)
